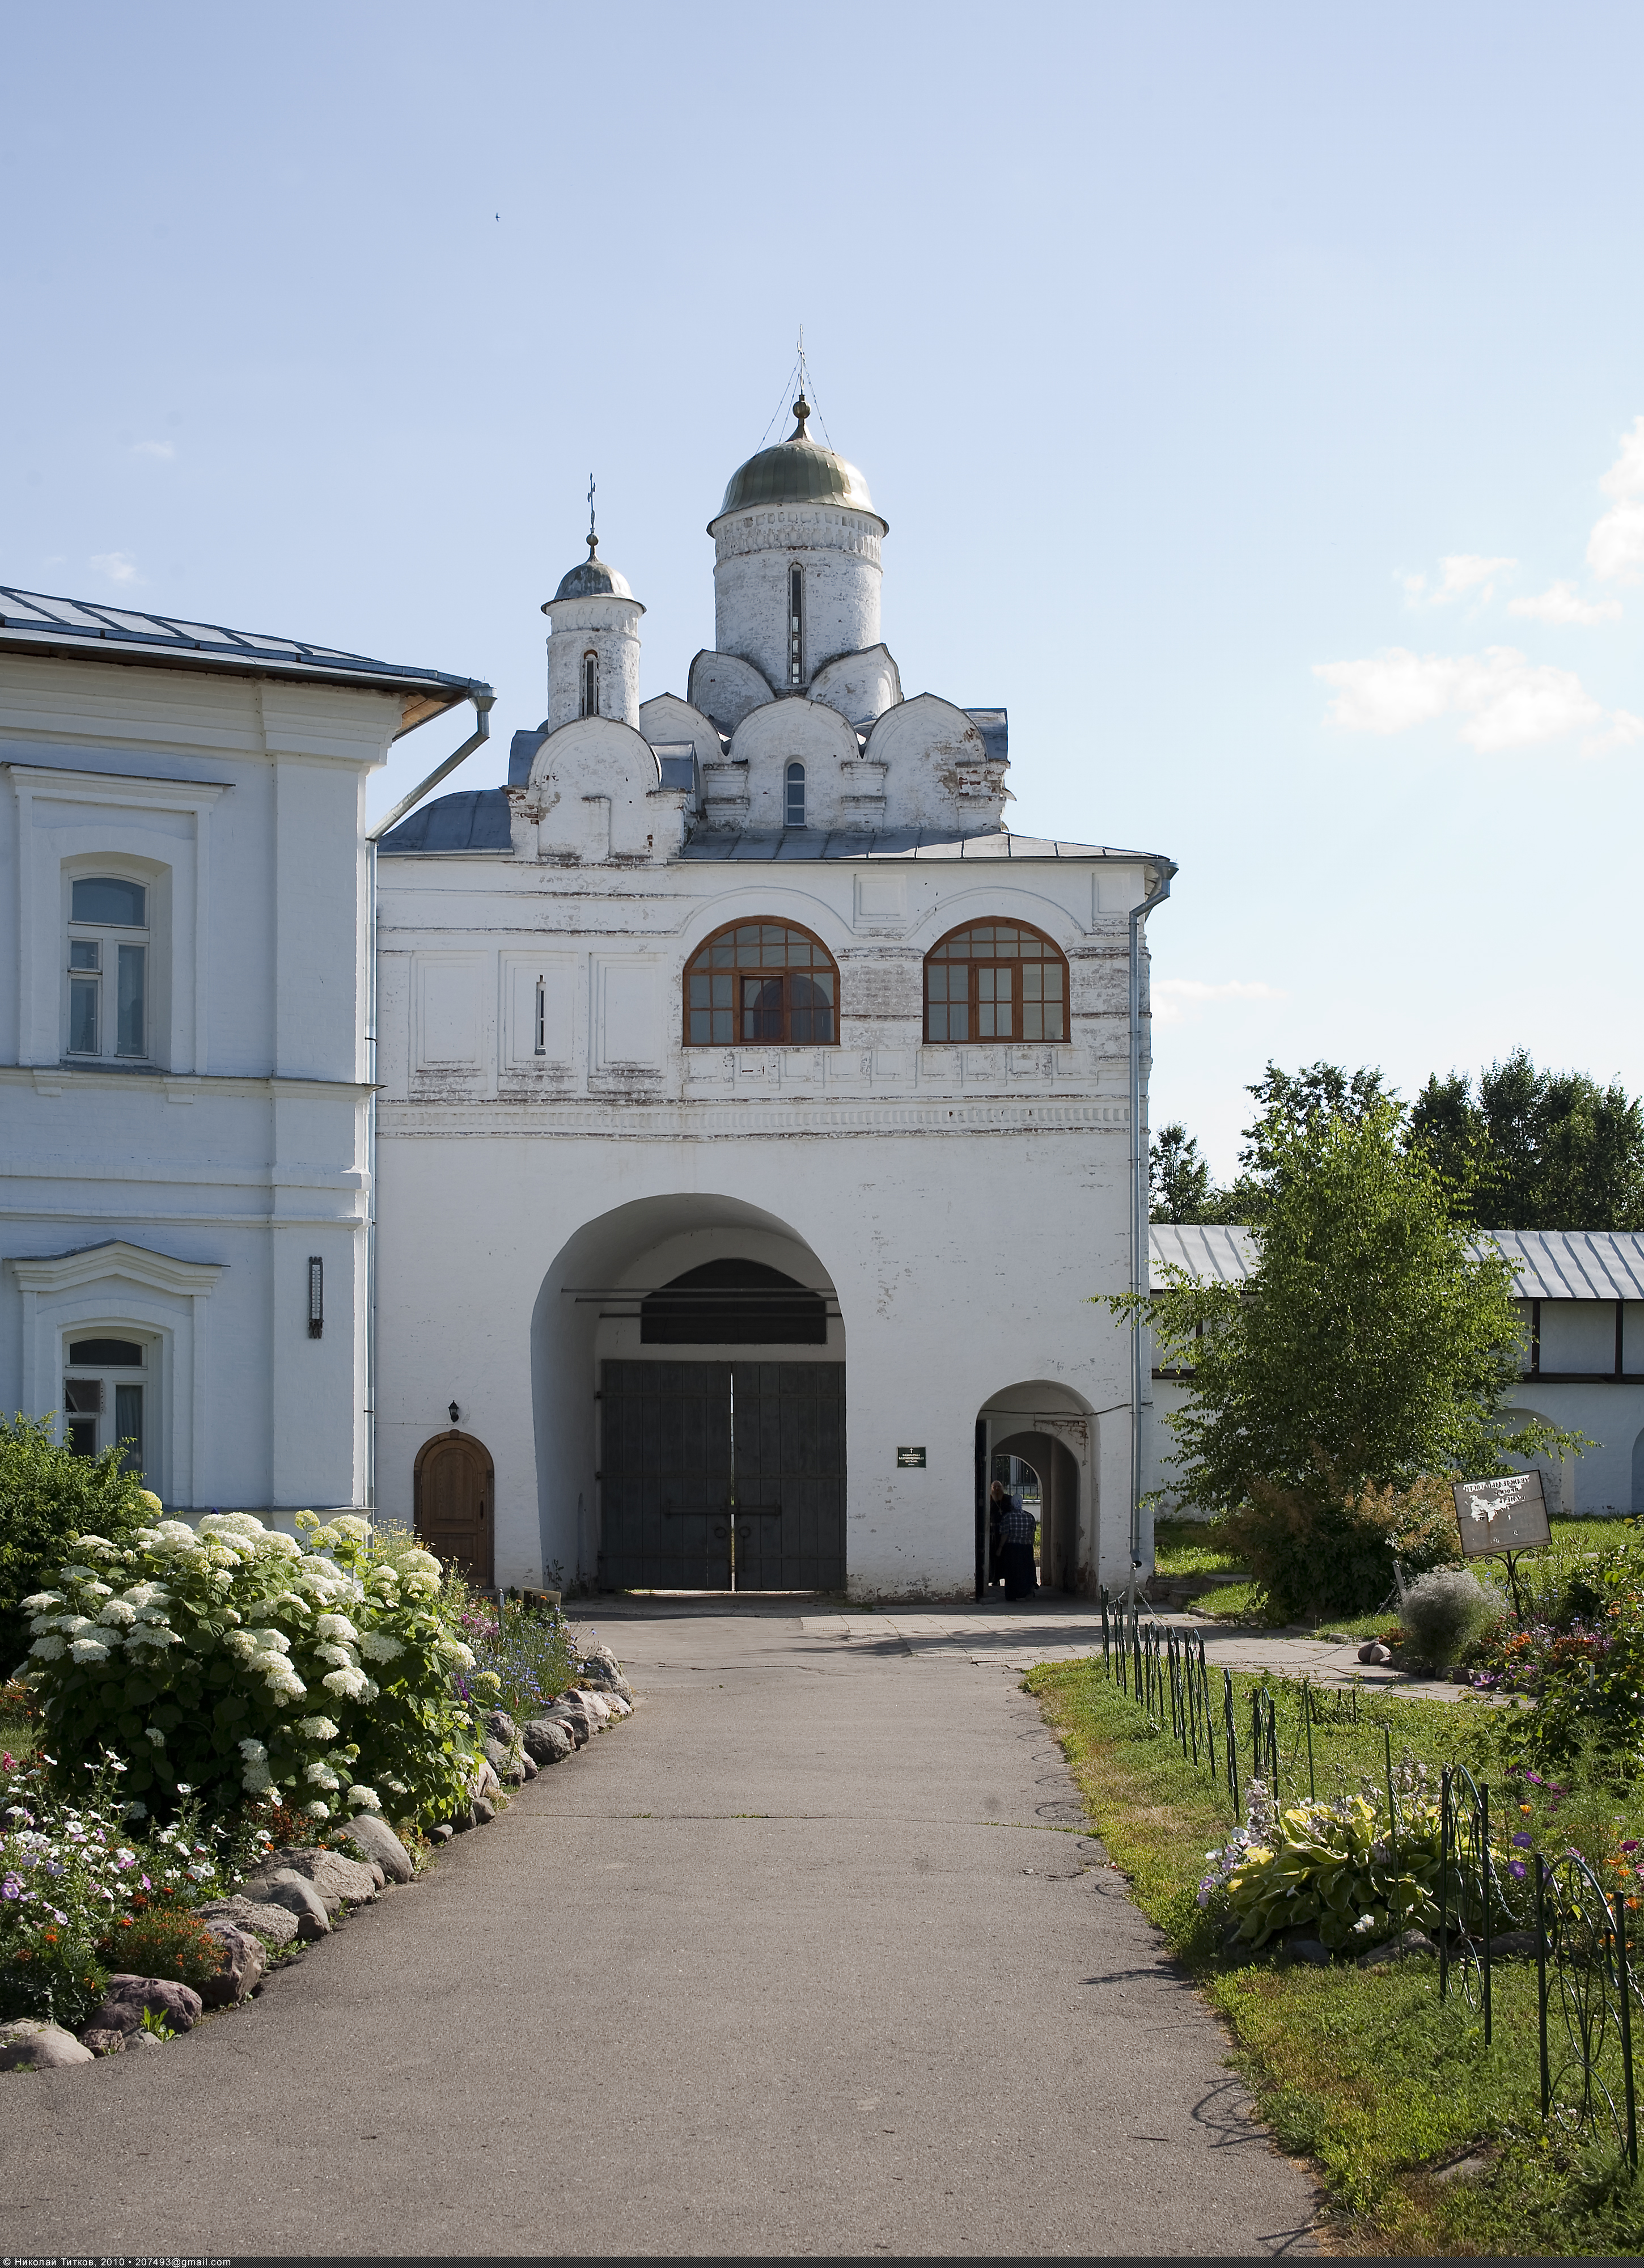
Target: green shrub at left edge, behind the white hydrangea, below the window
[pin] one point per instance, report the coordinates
(49, 1496)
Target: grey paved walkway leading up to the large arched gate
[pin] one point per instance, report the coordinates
(808, 1958)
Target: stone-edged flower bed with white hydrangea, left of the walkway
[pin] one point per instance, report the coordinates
(230, 1718)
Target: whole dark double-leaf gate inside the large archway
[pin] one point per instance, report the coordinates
(690, 1450)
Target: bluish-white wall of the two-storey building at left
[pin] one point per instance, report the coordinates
(194, 1187)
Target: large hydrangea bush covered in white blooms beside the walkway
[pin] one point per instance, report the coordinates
(232, 1661)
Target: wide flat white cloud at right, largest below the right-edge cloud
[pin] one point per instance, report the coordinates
(1507, 700)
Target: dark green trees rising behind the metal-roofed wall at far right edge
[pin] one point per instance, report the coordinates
(1536, 1149)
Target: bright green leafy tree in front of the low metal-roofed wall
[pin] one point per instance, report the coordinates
(1368, 1348)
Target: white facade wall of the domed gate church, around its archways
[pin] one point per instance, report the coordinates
(965, 1203)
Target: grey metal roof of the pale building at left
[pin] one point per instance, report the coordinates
(85, 629)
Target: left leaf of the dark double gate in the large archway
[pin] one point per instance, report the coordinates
(666, 1475)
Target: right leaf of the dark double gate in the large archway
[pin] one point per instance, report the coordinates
(790, 1464)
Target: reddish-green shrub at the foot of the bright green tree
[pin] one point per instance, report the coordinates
(1328, 1550)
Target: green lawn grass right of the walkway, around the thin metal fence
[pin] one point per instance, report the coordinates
(1362, 2072)
